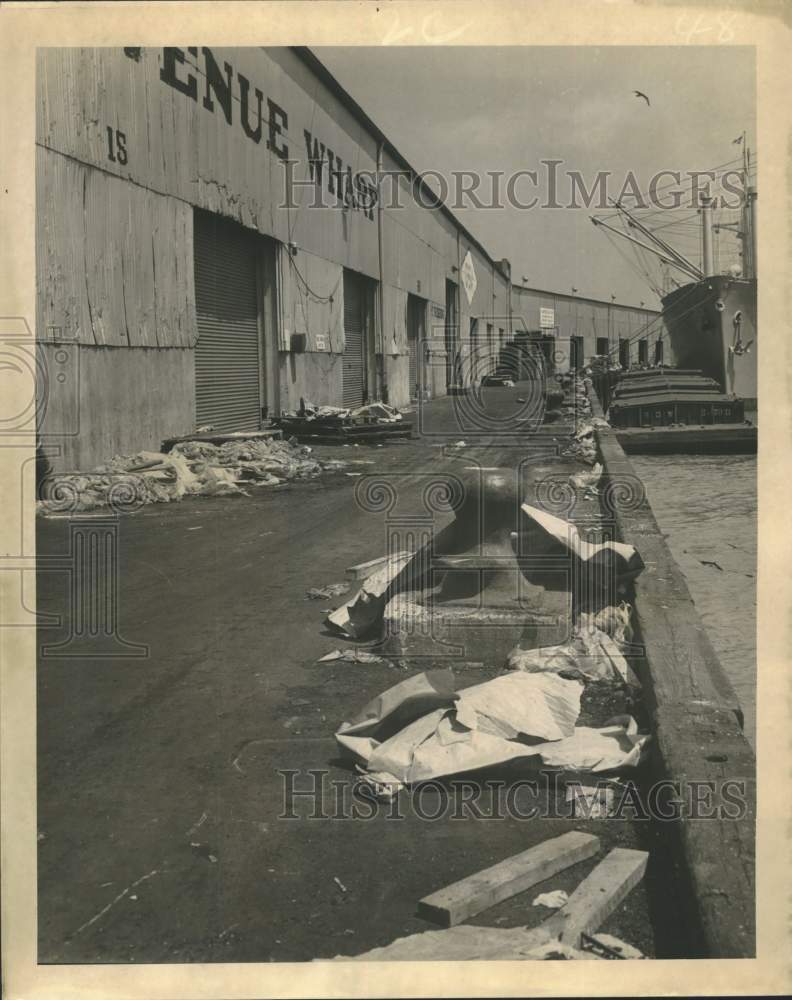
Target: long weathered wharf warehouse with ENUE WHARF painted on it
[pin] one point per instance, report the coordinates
(214, 244)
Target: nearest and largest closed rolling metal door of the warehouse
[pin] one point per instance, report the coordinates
(228, 351)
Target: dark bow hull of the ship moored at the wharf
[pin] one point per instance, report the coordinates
(706, 321)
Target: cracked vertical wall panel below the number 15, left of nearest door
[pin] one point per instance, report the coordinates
(115, 261)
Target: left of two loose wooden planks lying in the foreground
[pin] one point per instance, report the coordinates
(478, 892)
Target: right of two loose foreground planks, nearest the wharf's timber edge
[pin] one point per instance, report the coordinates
(597, 896)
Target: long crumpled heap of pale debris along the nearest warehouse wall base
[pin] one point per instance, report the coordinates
(191, 468)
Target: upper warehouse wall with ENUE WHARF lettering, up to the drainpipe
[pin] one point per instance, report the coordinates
(187, 148)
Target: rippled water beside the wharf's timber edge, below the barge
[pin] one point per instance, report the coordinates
(706, 504)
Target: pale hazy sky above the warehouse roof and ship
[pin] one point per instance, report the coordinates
(507, 109)
